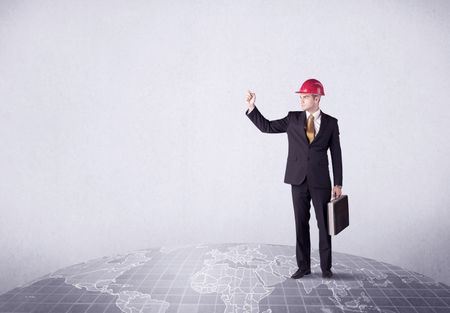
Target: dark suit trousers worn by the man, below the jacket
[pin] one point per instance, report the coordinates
(301, 197)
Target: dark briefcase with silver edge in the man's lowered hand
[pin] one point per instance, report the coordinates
(337, 215)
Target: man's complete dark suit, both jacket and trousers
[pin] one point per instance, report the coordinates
(307, 172)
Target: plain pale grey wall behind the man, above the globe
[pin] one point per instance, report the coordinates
(122, 126)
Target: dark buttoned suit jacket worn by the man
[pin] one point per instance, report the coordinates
(304, 159)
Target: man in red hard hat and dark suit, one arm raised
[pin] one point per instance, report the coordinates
(310, 133)
